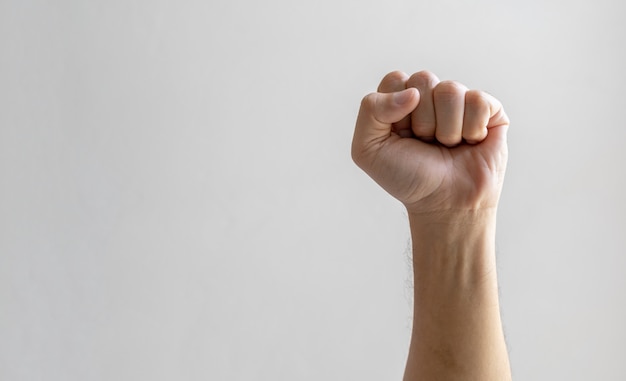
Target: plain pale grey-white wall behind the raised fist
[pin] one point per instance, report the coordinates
(177, 200)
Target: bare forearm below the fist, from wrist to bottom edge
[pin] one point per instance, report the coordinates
(457, 332)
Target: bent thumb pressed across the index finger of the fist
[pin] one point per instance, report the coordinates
(378, 112)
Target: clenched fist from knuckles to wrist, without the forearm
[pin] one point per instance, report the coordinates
(436, 146)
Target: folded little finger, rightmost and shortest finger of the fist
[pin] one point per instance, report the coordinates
(476, 117)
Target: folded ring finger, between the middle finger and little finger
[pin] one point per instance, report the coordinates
(449, 102)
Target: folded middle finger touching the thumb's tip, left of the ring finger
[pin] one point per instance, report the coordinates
(423, 120)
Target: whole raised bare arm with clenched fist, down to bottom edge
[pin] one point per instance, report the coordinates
(441, 150)
